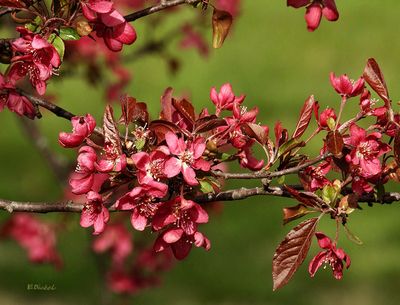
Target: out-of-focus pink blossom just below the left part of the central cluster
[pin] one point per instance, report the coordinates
(117, 239)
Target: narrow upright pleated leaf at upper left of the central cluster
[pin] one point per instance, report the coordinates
(111, 134)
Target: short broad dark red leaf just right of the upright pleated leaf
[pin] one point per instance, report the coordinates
(133, 111)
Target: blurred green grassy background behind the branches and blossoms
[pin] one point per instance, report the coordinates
(273, 60)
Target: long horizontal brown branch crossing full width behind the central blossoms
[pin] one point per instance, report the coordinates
(231, 195)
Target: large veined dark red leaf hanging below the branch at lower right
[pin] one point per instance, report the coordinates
(292, 251)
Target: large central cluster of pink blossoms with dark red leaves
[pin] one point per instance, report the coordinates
(156, 174)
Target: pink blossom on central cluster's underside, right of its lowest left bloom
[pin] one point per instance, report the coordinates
(142, 202)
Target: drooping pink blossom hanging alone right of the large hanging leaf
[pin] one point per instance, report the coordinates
(331, 255)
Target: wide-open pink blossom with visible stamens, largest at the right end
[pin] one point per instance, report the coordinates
(366, 150)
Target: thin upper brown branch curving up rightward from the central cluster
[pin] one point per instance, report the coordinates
(263, 174)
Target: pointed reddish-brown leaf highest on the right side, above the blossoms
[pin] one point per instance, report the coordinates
(374, 77)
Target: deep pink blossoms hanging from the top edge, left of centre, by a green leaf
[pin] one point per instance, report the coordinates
(109, 24)
